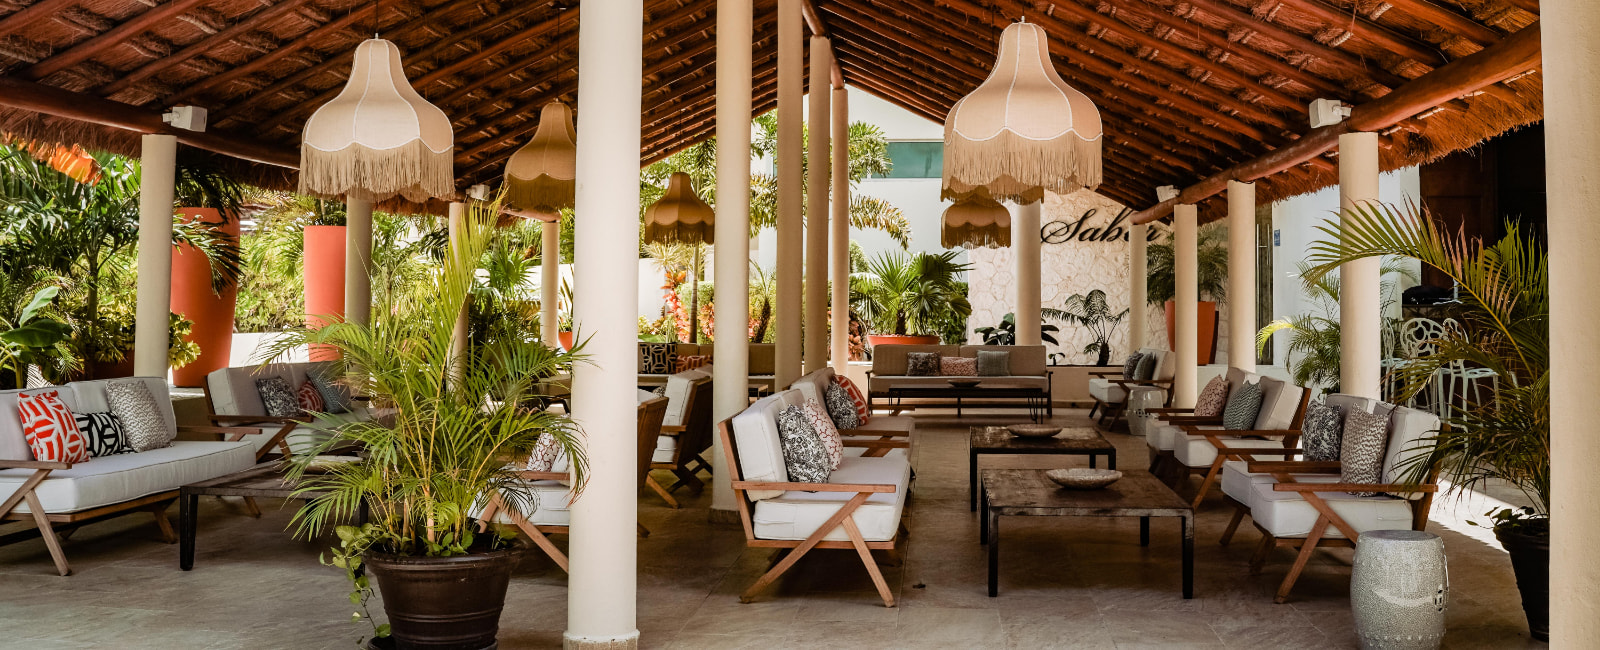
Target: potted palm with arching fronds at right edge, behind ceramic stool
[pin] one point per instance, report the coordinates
(1505, 439)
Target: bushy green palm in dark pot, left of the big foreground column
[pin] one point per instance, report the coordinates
(426, 471)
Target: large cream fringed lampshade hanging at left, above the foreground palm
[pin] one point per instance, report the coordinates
(378, 138)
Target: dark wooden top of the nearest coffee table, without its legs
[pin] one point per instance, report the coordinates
(1138, 494)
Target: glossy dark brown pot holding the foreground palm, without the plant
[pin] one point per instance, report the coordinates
(444, 603)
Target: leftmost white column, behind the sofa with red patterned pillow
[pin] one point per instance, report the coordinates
(154, 307)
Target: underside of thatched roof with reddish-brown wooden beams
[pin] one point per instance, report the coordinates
(1186, 87)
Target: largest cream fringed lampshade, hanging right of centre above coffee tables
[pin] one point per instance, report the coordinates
(1025, 130)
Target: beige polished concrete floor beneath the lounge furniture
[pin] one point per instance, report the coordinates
(1065, 584)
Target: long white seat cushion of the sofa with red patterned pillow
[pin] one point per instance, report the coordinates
(127, 476)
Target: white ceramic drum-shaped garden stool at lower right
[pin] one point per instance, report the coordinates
(1399, 590)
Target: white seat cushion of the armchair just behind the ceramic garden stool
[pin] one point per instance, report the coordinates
(1287, 515)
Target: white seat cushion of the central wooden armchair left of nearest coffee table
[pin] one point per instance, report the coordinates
(798, 515)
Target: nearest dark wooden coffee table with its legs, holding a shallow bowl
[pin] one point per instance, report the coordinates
(1030, 494)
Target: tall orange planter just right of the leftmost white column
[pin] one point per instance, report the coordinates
(210, 311)
